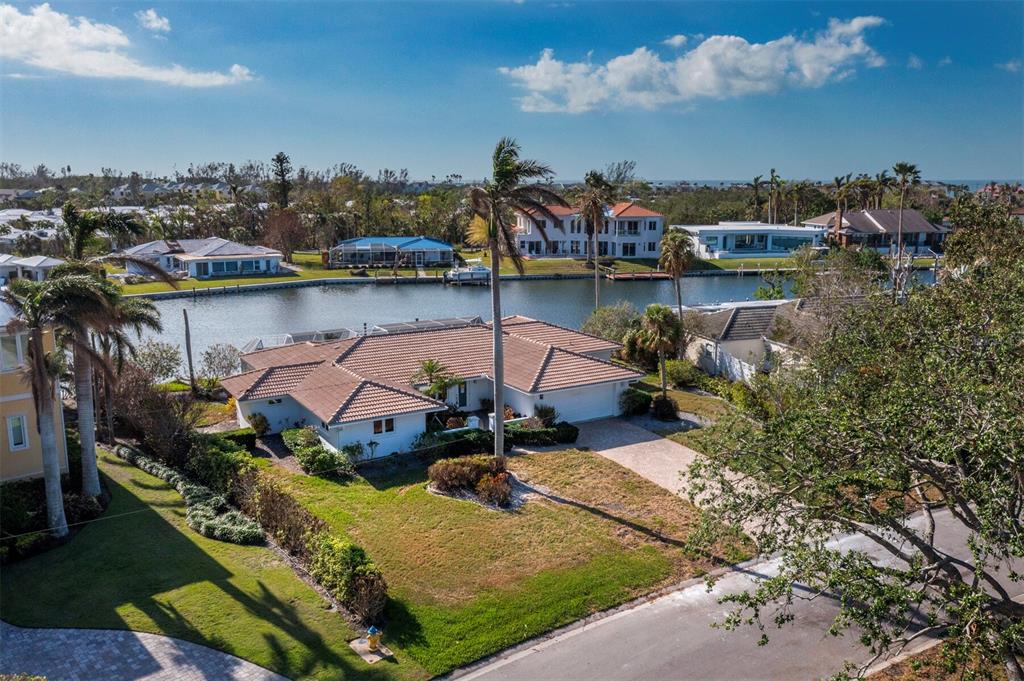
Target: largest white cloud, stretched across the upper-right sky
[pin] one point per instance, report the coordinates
(721, 67)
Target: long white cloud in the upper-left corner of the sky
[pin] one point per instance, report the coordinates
(76, 47)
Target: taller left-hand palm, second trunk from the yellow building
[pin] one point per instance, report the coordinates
(77, 234)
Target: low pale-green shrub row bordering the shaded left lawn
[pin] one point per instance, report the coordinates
(207, 513)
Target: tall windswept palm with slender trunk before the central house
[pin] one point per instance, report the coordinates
(492, 203)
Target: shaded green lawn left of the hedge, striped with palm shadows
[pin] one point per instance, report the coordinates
(148, 572)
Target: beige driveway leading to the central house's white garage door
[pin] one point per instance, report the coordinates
(647, 454)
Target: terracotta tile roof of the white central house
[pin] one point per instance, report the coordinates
(370, 376)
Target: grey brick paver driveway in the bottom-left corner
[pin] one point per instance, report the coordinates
(83, 655)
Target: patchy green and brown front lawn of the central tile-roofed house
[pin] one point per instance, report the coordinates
(466, 581)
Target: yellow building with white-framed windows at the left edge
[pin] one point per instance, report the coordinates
(21, 451)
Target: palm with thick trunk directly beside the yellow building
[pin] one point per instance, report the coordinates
(41, 308)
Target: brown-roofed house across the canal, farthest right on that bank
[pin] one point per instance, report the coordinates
(878, 230)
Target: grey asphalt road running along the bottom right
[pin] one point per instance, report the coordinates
(671, 639)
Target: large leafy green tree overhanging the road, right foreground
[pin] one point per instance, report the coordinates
(905, 427)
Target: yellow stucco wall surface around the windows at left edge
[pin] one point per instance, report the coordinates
(16, 400)
